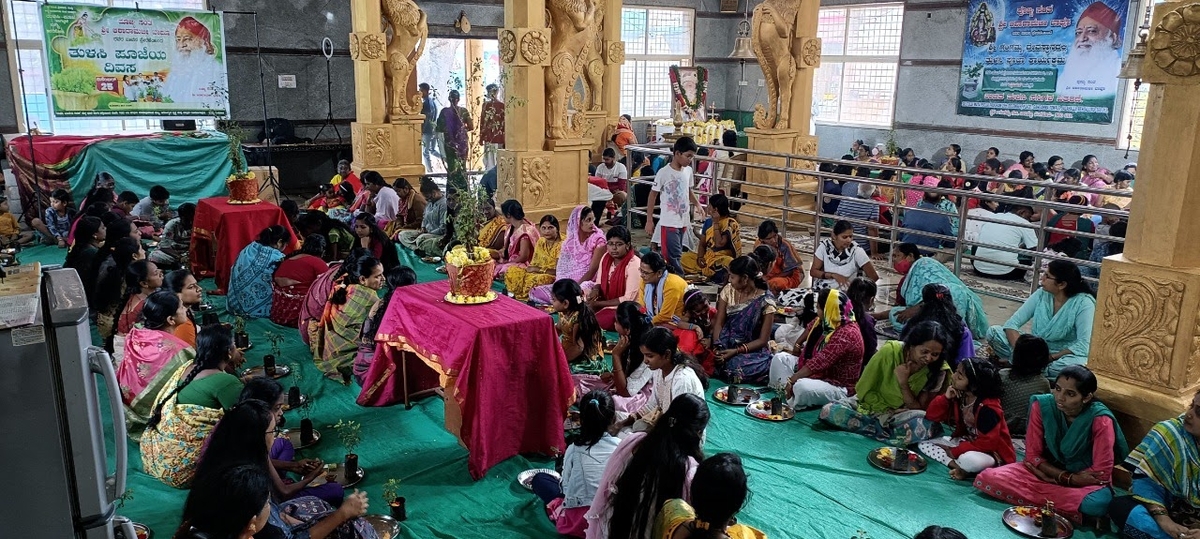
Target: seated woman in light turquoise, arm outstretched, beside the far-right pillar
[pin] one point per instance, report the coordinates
(1061, 312)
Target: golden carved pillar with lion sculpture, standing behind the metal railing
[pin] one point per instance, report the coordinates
(789, 53)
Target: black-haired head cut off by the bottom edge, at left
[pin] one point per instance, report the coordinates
(232, 504)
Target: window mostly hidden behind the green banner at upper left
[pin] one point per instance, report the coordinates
(33, 100)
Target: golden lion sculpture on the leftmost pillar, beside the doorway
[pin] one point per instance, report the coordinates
(410, 33)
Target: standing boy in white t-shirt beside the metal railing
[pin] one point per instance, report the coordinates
(674, 183)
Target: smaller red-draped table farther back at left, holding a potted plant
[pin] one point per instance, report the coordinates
(221, 231)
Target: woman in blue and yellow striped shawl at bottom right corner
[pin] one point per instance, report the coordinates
(1165, 504)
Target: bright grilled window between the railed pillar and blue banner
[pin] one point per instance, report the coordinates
(860, 57)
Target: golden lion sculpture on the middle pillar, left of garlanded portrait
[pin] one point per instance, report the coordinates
(574, 28)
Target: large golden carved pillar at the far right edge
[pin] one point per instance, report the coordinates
(1147, 338)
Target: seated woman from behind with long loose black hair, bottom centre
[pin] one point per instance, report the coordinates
(649, 469)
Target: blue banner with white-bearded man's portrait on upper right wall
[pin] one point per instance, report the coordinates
(1043, 61)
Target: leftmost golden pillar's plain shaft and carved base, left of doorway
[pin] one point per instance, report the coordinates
(387, 143)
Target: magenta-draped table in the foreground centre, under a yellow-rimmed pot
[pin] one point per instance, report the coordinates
(506, 379)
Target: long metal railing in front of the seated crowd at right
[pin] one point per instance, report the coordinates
(811, 220)
